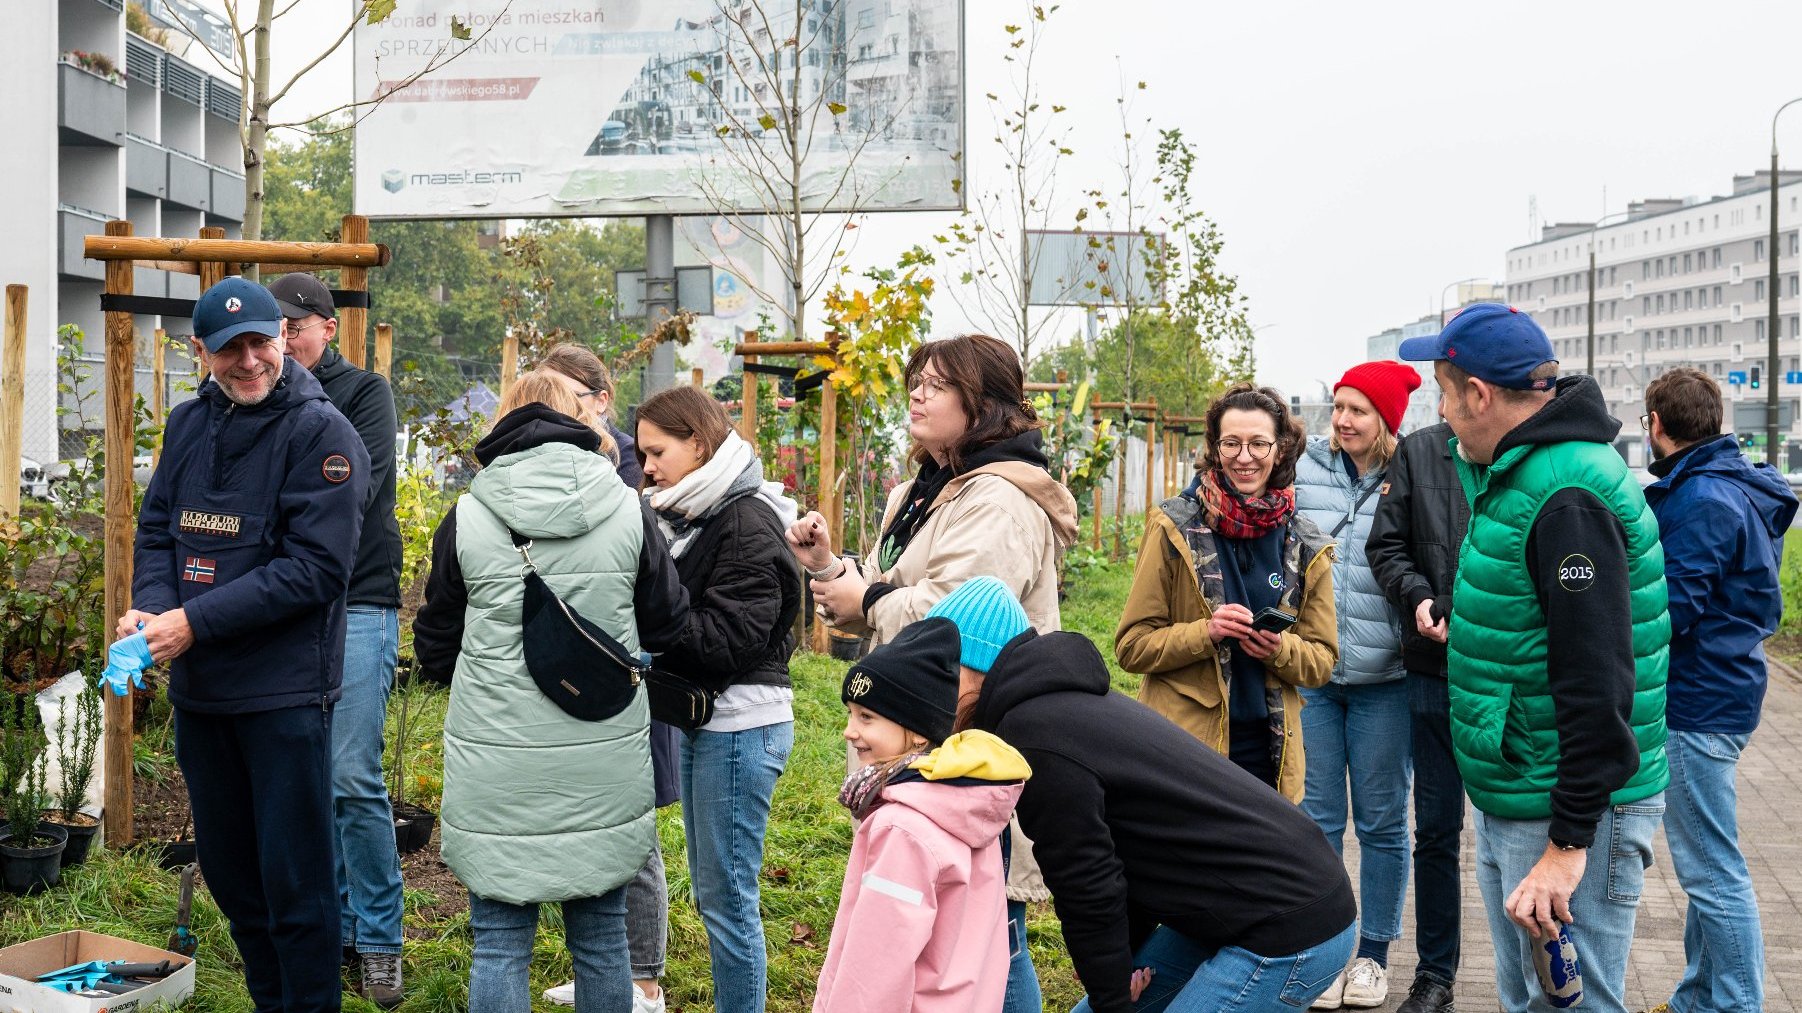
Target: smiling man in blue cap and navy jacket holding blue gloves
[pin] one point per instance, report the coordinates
(244, 552)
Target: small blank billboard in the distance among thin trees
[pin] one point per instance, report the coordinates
(1091, 269)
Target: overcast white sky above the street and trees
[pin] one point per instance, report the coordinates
(1360, 158)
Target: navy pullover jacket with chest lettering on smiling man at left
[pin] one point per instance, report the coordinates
(251, 525)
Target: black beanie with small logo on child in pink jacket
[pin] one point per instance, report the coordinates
(911, 680)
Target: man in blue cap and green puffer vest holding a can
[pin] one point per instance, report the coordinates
(1558, 652)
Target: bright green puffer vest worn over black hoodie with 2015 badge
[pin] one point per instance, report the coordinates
(1504, 720)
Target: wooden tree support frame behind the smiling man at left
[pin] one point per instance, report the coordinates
(212, 257)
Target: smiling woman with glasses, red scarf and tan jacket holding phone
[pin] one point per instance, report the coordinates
(1232, 607)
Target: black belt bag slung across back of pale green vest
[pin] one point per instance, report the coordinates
(579, 666)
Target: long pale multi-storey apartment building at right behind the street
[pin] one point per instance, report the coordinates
(1677, 284)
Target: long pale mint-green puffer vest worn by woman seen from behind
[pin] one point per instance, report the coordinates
(540, 807)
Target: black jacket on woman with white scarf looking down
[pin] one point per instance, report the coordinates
(745, 592)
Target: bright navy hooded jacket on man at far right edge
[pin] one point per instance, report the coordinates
(1722, 522)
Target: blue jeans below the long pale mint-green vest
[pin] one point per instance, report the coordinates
(500, 974)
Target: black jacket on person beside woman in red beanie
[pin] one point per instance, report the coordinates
(1414, 542)
